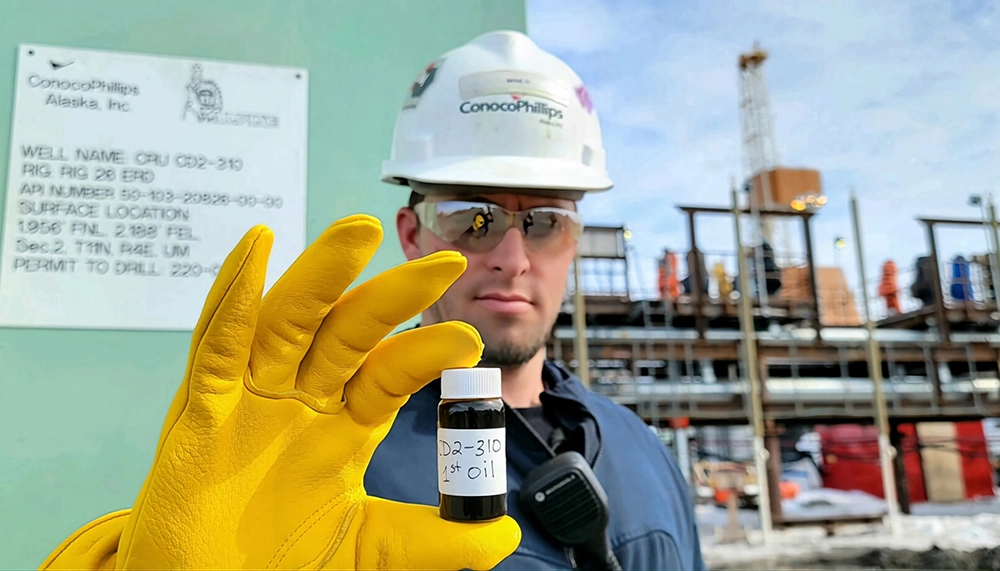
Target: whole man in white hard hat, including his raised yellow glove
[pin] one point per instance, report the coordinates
(304, 434)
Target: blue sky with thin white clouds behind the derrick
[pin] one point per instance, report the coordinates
(899, 99)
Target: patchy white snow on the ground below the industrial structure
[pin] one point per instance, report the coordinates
(917, 532)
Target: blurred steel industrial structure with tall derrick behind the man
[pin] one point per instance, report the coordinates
(801, 352)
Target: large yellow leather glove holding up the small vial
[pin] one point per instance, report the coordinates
(261, 460)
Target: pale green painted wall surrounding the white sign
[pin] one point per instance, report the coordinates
(80, 411)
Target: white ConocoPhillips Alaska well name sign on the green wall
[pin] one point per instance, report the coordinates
(131, 177)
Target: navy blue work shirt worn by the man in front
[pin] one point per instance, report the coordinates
(651, 524)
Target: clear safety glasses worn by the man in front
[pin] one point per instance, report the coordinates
(480, 226)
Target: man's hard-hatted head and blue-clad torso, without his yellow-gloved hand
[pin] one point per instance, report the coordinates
(504, 131)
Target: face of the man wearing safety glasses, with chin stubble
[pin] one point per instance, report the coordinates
(511, 293)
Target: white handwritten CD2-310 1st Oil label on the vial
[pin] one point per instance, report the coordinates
(472, 462)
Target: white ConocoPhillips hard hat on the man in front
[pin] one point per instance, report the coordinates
(498, 112)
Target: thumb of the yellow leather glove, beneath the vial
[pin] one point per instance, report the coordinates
(411, 536)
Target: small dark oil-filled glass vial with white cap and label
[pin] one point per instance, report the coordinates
(472, 446)
